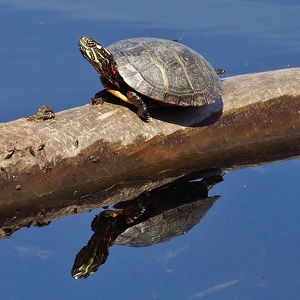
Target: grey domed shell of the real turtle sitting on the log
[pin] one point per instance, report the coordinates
(166, 71)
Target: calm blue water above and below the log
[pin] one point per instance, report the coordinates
(247, 246)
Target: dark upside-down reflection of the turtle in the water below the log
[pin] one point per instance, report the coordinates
(153, 217)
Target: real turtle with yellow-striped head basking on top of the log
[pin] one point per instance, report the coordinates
(142, 71)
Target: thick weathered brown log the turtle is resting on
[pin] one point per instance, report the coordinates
(80, 156)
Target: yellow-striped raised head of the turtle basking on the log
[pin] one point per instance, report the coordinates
(99, 57)
